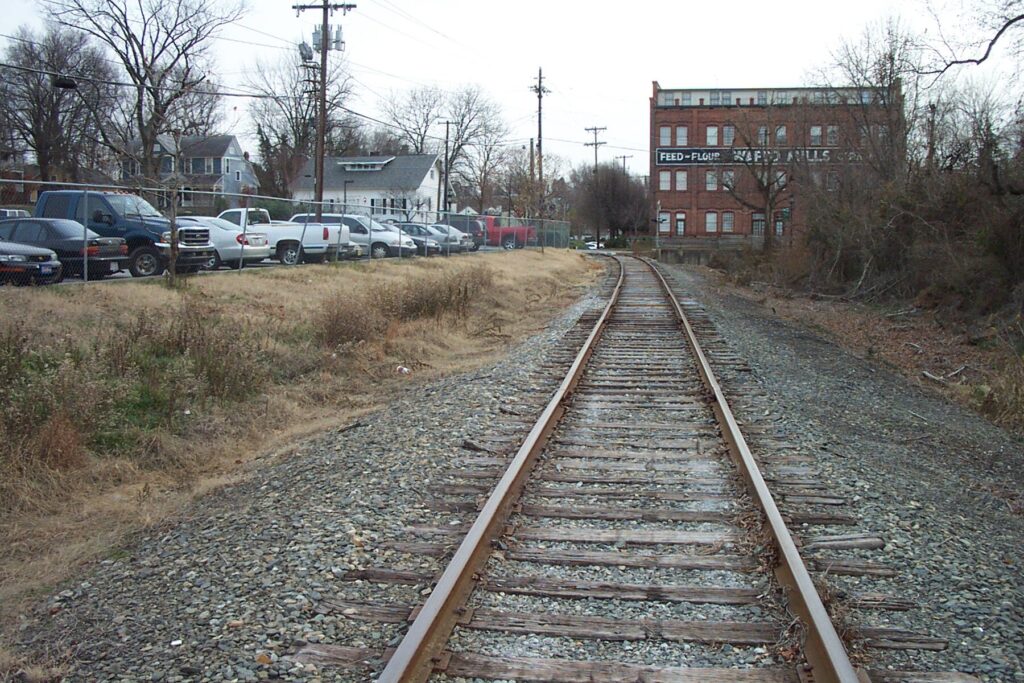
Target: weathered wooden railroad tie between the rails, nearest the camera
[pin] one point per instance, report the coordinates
(537, 670)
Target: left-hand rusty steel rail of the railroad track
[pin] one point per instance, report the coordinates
(421, 648)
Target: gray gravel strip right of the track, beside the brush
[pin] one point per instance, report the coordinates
(919, 472)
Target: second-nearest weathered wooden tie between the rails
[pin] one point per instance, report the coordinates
(604, 628)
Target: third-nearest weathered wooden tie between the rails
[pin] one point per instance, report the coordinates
(613, 591)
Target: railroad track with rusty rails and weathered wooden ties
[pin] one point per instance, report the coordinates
(632, 537)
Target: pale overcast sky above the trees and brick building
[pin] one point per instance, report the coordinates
(599, 59)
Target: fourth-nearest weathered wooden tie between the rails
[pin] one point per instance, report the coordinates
(673, 562)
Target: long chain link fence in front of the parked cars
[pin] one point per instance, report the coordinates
(113, 231)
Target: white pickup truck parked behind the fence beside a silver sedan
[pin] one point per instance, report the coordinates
(294, 242)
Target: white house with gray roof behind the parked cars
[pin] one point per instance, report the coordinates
(406, 188)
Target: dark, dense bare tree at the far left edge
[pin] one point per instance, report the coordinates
(56, 124)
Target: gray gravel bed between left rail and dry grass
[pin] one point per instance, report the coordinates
(232, 589)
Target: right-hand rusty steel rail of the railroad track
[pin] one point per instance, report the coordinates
(824, 649)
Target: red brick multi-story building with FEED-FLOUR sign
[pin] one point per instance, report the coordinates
(739, 161)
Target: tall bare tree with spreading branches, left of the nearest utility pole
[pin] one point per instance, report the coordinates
(164, 49)
